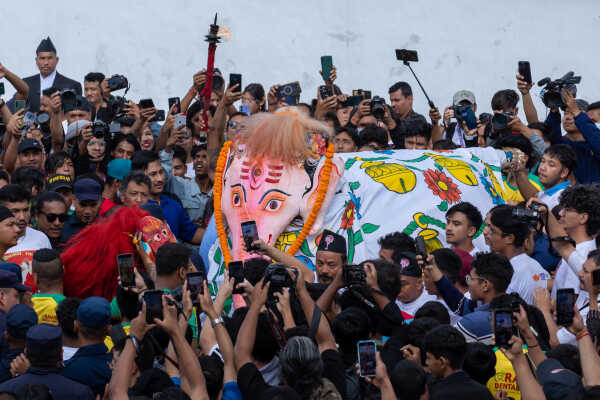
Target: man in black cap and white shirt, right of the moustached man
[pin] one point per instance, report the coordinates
(412, 291)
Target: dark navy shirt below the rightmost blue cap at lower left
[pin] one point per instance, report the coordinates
(89, 365)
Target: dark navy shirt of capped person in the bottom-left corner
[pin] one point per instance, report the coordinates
(60, 387)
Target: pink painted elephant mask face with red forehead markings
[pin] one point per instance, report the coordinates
(273, 194)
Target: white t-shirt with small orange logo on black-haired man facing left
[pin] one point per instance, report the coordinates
(528, 274)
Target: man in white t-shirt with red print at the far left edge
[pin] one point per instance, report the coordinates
(16, 199)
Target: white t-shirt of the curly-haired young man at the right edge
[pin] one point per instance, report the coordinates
(566, 272)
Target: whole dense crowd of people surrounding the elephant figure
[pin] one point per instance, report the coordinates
(72, 156)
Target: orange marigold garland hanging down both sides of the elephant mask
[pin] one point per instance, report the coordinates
(310, 220)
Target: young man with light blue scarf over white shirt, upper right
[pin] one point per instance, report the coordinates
(556, 166)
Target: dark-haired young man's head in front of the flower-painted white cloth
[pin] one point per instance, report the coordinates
(463, 220)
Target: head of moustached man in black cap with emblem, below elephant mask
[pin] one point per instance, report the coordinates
(331, 256)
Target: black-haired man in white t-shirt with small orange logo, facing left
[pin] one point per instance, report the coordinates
(508, 233)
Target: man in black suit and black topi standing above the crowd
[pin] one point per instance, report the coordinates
(48, 77)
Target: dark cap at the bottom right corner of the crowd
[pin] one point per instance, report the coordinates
(557, 381)
